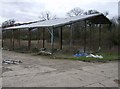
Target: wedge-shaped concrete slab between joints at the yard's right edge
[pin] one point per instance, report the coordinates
(106, 69)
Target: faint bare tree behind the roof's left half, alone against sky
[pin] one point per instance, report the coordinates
(47, 16)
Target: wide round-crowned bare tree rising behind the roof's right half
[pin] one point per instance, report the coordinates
(75, 12)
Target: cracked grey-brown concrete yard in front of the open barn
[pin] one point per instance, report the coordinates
(37, 71)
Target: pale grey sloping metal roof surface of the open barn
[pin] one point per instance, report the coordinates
(55, 22)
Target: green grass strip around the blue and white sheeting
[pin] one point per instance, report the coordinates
(106, 57)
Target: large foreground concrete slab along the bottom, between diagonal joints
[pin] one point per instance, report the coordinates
(73, 78)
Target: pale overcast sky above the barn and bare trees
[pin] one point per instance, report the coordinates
(29, 10)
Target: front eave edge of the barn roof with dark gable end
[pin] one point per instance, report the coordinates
(95, 19)
